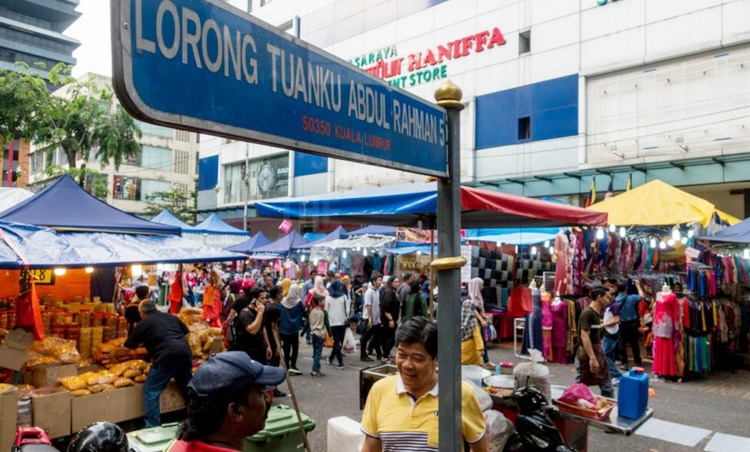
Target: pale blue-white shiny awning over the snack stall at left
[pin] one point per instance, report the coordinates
(23, 245)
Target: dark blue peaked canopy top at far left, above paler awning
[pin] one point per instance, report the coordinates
(85, 212)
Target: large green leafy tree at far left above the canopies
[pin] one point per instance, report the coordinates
(83, 119)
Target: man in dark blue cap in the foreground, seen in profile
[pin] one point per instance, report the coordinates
(227, 402)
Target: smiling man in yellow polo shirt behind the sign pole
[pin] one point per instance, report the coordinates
(401, 412)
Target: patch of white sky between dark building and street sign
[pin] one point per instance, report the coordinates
(92, 29)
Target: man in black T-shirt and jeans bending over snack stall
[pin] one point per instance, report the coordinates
(165, 339)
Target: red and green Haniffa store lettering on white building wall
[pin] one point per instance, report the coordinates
(428, 65)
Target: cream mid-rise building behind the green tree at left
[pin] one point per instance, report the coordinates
(168, 159)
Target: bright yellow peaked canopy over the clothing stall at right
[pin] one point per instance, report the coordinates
(657, 203)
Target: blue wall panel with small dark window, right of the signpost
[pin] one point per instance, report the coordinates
(552, 107)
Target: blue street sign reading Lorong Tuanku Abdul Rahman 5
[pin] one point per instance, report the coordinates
(207, 66)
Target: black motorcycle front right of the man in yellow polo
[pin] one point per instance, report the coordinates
(535, 431)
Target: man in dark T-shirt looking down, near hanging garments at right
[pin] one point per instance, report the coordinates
(591, 364)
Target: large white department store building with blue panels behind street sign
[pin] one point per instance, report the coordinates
(557, 94)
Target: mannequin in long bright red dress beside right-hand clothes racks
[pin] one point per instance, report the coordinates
(666, 325)
